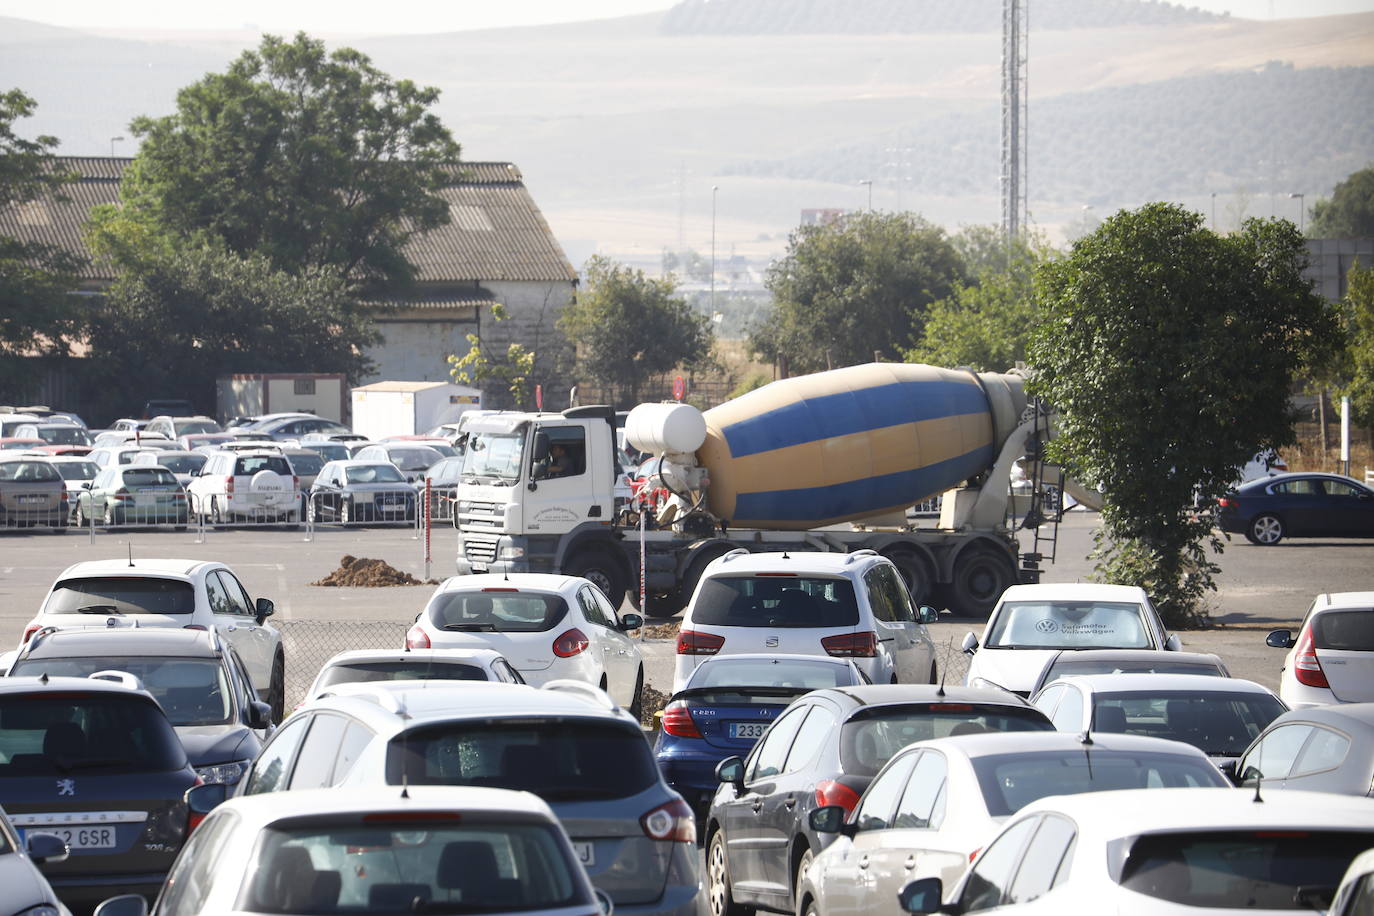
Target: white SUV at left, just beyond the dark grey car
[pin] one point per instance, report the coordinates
(164, 593)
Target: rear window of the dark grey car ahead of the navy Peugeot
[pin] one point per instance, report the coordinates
(192, 691)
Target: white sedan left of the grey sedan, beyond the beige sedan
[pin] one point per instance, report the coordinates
(1219, 716)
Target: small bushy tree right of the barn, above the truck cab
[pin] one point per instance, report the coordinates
(630, 329)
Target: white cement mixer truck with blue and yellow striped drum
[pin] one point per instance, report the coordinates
(826, 462)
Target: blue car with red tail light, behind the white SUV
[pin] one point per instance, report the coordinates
(725, 709)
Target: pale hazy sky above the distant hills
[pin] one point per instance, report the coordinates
(439, 16)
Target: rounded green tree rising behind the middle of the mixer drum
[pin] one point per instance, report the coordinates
(853, 289)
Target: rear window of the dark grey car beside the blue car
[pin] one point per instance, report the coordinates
(873, 735)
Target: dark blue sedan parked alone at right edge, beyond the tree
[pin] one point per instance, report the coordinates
(1272, 509)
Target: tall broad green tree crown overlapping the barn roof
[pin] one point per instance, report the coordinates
(311, 159)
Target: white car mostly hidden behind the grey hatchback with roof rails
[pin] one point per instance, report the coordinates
(369, 665)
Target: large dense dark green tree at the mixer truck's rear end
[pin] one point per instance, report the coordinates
(1170, 354)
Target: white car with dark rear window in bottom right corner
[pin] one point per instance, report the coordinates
(1162, 852)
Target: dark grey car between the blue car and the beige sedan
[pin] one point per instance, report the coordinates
(825, 751)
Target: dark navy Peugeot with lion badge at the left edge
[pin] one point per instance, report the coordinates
(97, 763)
